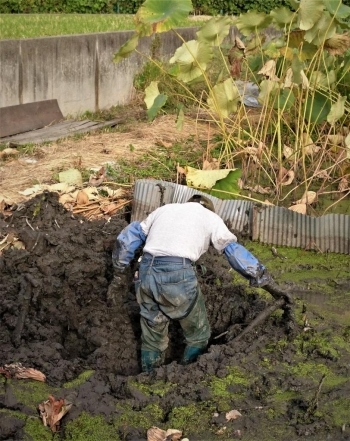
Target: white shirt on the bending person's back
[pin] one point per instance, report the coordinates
(185, 230)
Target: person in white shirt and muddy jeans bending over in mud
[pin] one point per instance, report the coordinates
(174, 237)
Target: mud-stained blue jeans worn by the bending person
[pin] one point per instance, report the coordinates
(167, 288)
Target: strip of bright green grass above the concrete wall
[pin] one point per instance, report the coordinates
(13, 26)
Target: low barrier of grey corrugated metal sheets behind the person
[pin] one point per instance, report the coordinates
(268, 224)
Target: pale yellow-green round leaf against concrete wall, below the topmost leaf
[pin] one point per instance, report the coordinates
(192, 59)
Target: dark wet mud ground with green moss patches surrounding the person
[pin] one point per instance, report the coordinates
(54, 317)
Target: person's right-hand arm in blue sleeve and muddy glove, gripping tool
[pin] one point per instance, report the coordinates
(249, 267)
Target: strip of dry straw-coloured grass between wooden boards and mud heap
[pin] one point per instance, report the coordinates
(91, 151)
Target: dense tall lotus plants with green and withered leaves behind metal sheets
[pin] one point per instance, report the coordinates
(297, 148)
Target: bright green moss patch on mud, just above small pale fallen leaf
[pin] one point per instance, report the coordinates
(233, 385)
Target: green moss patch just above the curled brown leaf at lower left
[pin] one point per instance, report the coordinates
(31, 393)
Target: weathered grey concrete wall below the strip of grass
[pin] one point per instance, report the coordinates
(76, 70)
